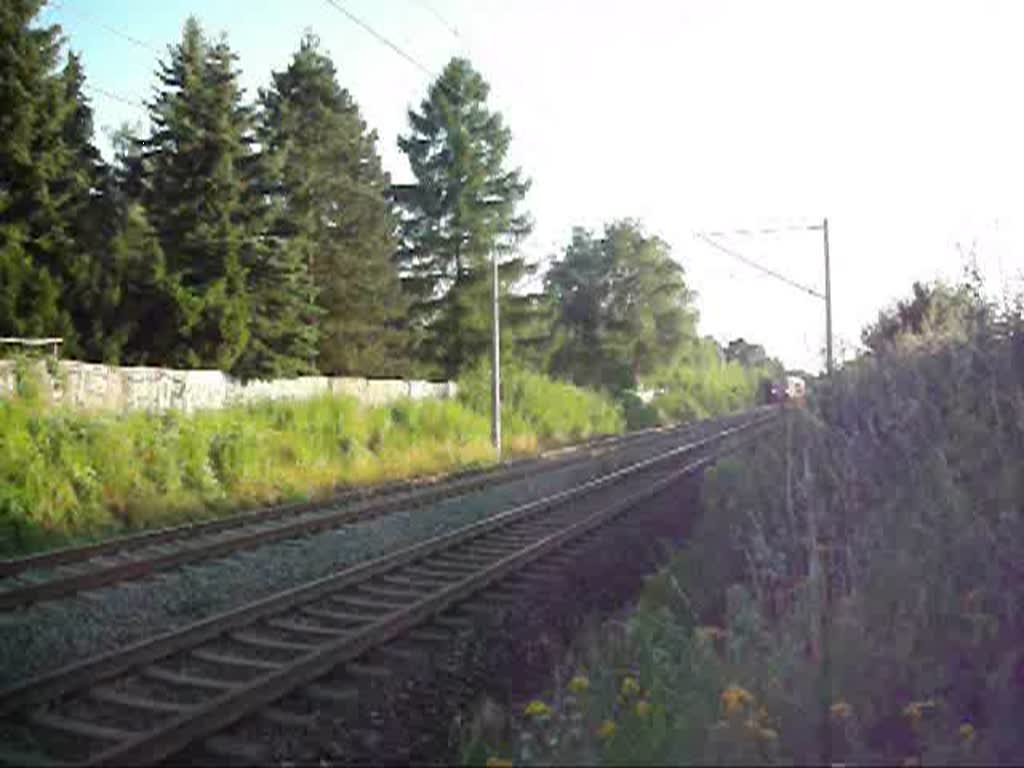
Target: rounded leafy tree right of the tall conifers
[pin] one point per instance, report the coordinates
(624, 309)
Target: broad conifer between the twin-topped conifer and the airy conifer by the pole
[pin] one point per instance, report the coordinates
(331, 220)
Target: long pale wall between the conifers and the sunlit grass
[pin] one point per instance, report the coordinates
(94, 387)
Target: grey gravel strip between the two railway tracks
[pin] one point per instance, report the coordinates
(50, 635)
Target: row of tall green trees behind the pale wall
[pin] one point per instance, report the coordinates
(265, 237)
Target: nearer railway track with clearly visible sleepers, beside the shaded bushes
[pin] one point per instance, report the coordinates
(288, 659)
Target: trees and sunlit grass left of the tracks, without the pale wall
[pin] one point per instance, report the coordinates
(265, 239)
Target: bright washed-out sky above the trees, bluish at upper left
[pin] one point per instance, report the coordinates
(900, 121)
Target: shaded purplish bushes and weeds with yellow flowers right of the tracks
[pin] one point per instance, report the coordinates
(854, 591)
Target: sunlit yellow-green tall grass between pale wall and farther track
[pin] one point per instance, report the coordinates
(67, 476)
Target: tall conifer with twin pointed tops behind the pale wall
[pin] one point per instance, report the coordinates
(196, 162)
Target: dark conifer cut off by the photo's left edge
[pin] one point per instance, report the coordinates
(50, 172)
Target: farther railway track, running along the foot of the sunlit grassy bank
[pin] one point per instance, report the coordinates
(54, 575)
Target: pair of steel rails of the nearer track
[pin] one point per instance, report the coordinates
(221, 712)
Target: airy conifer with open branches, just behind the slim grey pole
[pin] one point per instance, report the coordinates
(462, 210)
